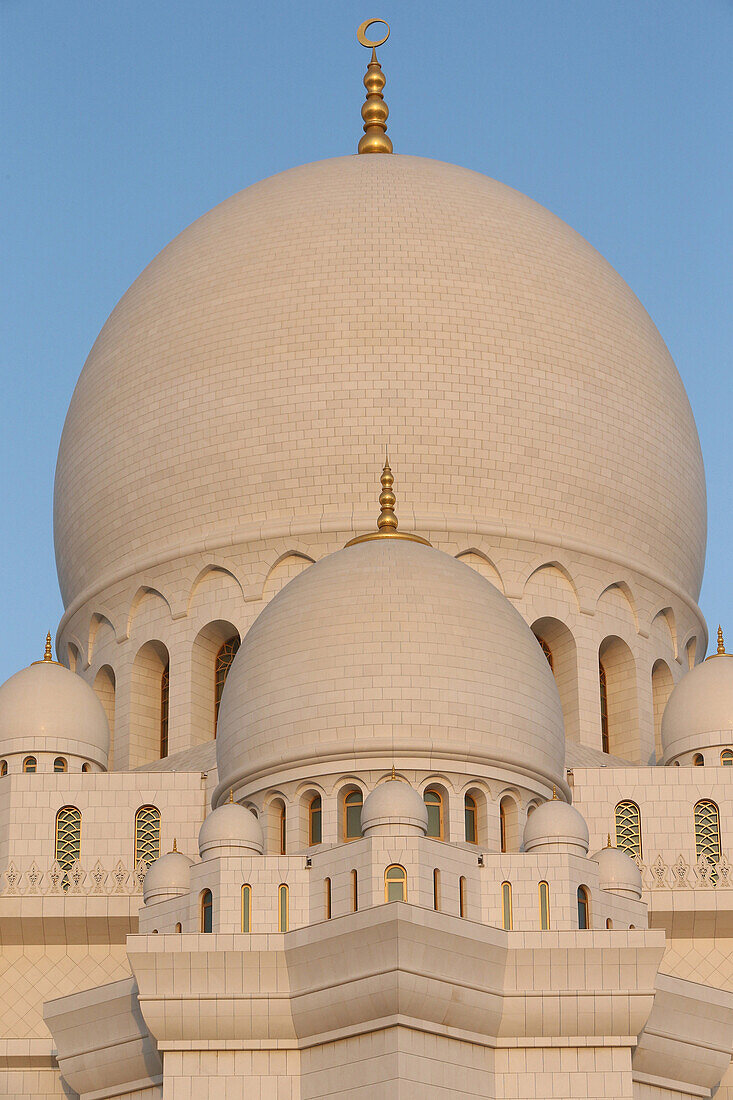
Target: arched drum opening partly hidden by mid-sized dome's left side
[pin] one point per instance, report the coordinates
(213, 654)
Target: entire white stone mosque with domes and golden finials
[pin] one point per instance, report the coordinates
(326, 800)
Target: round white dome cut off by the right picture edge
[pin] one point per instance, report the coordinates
(699, 713)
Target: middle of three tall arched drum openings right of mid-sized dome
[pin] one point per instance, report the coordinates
(619, 700)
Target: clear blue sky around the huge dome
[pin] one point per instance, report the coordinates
(124, 123)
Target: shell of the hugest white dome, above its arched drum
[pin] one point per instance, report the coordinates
(523, 383)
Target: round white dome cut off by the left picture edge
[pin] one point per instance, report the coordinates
(48, 709)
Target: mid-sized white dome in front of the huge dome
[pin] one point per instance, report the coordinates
(389, 652)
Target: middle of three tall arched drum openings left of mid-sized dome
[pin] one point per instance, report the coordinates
(149, 705)
